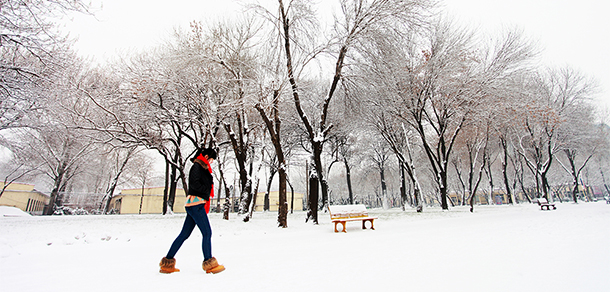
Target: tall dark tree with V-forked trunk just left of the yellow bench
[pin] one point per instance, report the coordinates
(356, 21)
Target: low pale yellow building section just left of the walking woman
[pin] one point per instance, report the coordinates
(151, 200)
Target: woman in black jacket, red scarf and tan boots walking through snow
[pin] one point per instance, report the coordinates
(201, 189)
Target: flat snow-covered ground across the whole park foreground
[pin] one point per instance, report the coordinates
(497, 248)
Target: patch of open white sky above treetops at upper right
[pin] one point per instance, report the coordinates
(573, 33)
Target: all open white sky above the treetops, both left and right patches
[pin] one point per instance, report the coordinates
(570, 32)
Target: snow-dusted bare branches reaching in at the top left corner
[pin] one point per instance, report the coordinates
(32, 51)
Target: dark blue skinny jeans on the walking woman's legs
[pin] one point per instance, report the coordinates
(195, 216)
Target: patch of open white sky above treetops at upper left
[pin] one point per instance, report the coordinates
(123, 26)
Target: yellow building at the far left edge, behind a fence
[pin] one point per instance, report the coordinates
(24, 197)
